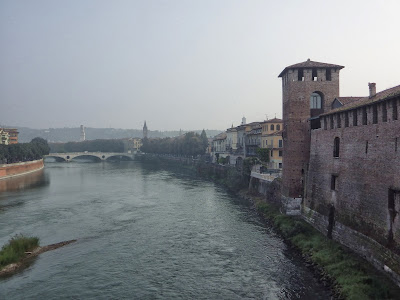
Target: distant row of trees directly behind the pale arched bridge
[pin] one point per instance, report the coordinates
(90, 146)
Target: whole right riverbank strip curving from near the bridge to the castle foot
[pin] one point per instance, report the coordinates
(350, 276)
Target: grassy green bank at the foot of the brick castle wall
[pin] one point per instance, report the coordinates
(352, 277)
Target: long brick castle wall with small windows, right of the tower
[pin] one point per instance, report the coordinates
(366, 172)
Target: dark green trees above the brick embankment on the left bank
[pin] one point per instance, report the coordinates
(24, 152)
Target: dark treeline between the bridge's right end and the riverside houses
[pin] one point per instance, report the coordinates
(190, 144)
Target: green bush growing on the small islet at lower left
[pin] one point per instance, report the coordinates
(15, 249)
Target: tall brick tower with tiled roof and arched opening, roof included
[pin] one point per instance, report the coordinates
(308, 89)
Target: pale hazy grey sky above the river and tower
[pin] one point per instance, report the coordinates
(181, 64)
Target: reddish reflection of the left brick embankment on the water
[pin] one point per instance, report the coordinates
(28, 181)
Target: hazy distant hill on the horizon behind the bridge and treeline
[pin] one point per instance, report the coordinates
(62, 135)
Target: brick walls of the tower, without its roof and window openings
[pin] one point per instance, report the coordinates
(296, 114)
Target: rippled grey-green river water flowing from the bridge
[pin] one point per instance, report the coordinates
(144, 233)
